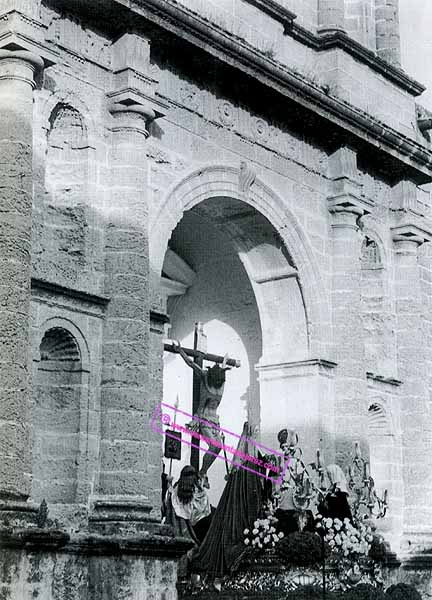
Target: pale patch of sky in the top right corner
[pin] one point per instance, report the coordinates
(416, 43)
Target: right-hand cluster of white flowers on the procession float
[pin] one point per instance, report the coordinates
(344, 538)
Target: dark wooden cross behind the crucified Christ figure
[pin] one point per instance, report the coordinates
(199, 355)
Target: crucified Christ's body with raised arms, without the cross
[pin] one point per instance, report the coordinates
(211, 392)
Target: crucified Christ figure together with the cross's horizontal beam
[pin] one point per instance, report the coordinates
(208, 391)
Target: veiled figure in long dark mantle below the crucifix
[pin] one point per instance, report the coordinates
(240, 505)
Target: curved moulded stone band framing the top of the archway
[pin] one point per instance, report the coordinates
(221, 181)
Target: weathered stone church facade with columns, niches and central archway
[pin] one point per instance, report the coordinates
(130, 128)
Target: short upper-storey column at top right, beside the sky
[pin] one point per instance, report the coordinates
(387, 30)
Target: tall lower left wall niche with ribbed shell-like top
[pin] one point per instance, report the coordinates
(57, 390)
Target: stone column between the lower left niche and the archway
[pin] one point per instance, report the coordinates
(125, 475)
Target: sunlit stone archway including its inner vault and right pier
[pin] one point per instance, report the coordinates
(295, 386)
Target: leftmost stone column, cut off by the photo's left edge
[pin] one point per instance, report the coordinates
(17, 71)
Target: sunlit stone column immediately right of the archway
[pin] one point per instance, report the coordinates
(347, 206)
